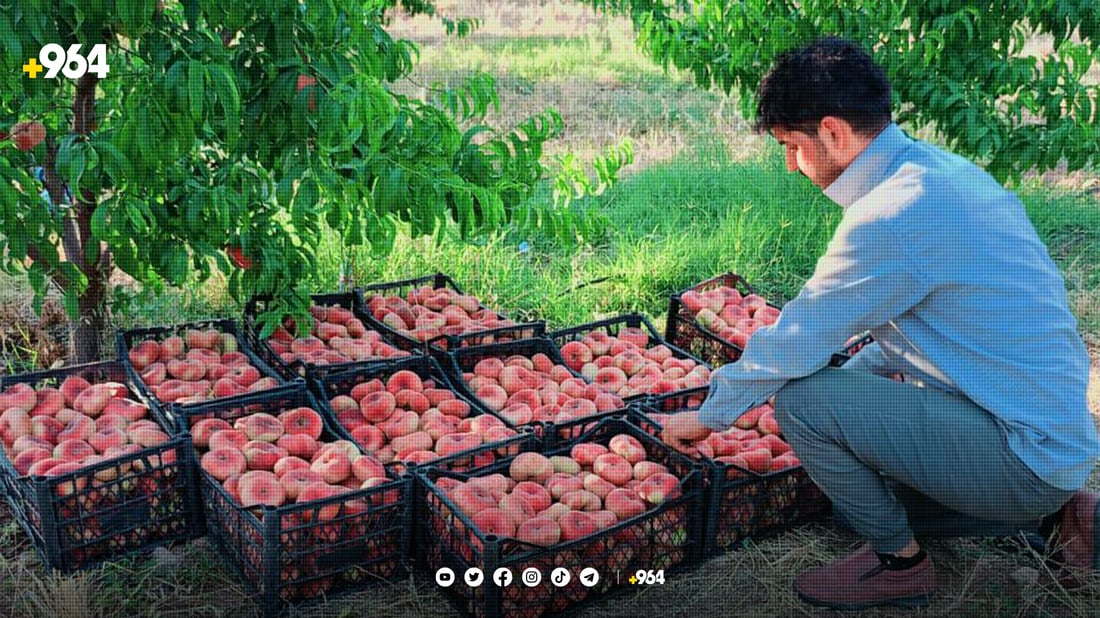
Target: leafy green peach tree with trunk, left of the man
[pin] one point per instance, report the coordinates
(210, 137)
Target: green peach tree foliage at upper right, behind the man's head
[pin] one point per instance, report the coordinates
(965, 68)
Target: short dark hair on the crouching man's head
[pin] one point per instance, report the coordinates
(829, 78)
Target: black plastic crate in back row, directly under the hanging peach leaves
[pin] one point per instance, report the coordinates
(298, 368)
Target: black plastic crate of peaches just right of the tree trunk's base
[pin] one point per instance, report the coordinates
(269, 377)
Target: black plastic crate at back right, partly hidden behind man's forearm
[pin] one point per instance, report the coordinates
(685, 333)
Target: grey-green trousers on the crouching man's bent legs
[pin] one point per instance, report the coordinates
(900, 461)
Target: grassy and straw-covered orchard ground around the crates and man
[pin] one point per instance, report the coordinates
(705, 195)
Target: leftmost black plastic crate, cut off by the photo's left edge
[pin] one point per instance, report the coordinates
(130, 503)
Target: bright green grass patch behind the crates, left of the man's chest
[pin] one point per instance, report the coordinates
(674, 225)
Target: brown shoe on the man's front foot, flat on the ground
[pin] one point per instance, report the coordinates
(861, 581)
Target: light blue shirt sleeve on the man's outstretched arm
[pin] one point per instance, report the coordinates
(864, 281)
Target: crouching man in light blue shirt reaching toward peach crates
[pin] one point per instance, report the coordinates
(943, 267)
